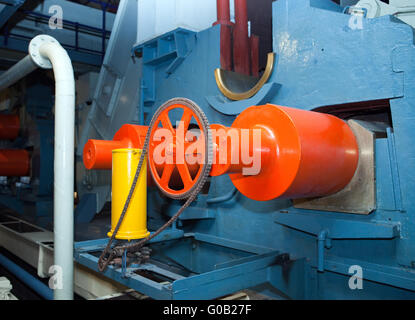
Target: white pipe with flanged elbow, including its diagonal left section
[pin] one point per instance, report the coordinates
(45, 52)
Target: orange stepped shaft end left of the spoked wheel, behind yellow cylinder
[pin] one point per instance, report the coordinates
(98, 153)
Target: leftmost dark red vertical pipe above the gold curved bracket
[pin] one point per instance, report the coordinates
(224, 19)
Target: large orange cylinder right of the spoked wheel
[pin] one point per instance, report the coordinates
(308, 154)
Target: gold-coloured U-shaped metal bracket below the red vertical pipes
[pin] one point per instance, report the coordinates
(220, 81)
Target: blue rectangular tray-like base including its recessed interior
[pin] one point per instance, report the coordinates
(198, 275)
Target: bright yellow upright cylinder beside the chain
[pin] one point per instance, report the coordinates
(124, 166)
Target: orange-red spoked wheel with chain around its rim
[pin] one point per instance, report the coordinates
(180, 148)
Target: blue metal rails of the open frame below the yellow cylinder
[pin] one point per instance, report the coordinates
(224, 278)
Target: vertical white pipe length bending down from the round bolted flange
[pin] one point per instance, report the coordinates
(63, 198)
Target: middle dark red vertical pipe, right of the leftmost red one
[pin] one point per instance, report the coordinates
(241, 50)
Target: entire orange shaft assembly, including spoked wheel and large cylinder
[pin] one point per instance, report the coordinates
(303, 154)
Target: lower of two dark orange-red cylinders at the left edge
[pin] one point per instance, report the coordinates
(14, 163)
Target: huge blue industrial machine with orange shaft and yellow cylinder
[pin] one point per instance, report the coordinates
(294, 180)
